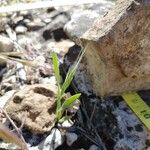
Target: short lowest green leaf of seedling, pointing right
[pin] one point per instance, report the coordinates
(67, 103)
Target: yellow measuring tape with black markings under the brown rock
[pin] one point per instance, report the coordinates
(140, 108)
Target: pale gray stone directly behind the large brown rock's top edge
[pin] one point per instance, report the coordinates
(83, 18)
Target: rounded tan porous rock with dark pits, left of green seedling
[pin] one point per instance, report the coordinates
(37, 104)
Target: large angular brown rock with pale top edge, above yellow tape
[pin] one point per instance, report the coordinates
(118, 49)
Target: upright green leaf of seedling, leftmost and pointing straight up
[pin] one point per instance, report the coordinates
(56, 67)
